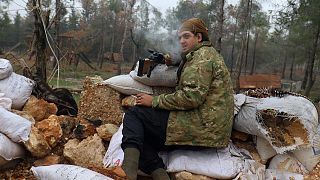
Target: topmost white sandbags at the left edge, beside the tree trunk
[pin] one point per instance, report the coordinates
(14, 86)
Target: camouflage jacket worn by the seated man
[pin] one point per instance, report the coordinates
(201, 109)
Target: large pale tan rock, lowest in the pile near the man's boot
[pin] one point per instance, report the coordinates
(88, 152)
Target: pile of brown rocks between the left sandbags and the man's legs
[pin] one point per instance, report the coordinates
(51, 139)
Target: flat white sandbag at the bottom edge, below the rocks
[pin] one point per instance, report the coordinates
(66, 172)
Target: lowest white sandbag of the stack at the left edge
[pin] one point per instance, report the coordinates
(9, 150)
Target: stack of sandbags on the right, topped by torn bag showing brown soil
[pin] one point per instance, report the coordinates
(285, 130)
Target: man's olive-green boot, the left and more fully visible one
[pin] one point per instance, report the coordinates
(131, 162)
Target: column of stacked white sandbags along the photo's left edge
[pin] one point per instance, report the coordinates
(15, 90)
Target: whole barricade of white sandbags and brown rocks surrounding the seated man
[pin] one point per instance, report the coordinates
(284, 129)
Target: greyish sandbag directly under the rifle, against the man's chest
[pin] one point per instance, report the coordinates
(161, 75)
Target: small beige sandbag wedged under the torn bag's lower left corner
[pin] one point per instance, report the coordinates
(264, 149)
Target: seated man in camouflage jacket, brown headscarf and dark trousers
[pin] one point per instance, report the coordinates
(198, 114)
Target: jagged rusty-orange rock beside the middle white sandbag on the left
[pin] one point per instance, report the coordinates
(50, 129)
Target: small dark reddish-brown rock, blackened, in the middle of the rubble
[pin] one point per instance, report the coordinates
(84, 129)
